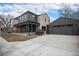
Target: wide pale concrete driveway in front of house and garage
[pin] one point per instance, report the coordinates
(46, 45)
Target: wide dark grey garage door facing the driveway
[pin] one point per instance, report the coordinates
(62, 30)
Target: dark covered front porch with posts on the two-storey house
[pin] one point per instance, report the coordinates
(25, 27)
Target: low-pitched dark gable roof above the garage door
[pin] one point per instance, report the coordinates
(63, 20)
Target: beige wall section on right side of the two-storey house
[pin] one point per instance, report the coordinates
(42, 21)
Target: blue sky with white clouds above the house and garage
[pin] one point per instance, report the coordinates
(17, 9)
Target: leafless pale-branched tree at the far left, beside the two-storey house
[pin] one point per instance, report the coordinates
(5, 21)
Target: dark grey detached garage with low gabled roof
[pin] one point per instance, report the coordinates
(64, 26)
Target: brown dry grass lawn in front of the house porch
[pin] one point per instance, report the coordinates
(13, 37)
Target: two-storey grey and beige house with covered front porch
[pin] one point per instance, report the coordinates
(30, 22)
